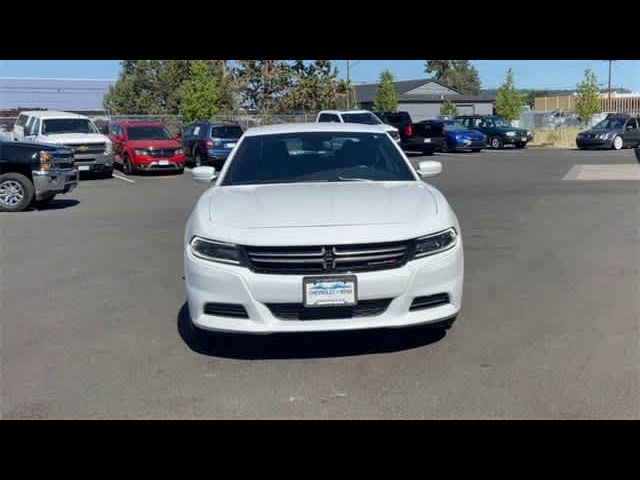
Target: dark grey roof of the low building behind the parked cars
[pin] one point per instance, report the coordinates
(367, 93)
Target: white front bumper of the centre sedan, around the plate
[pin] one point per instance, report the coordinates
(218, 283)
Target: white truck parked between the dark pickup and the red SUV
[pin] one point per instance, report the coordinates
(93, 152)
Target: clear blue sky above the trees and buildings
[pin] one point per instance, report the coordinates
(528, 73)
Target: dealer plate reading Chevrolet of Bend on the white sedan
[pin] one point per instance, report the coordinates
(329, 291)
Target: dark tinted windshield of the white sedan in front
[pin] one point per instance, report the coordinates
(316, 157)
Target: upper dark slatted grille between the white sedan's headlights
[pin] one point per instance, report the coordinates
(329, 258)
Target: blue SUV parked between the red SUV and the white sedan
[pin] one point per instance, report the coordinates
(208, 143)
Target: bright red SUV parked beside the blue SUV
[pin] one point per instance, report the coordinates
(145, 146)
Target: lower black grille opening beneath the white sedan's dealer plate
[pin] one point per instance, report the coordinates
(297, 311)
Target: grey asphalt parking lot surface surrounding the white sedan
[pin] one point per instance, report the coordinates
(94, 318)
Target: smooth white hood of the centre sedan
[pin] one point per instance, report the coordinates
(313, 213)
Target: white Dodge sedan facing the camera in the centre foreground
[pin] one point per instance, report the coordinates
(317, 227)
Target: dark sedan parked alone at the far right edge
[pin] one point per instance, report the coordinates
(616, 131)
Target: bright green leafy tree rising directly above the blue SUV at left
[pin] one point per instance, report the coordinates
(199, 95)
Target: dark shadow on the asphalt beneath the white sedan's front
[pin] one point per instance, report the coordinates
(305, 345)
